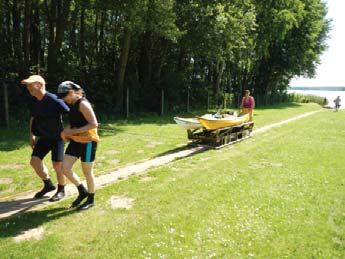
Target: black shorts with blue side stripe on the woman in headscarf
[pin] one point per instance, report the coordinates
(85, 151)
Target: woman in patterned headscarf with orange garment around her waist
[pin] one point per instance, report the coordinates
(83, 138)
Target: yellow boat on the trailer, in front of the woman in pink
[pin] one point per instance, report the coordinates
(212, 123)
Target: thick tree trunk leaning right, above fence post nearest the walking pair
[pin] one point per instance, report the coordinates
(122, 68)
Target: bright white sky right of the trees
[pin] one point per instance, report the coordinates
(331, 71)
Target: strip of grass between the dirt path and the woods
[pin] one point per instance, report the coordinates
(122, 142)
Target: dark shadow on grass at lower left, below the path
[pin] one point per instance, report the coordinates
(12, 227)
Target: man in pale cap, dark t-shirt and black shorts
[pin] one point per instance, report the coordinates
(45, 128)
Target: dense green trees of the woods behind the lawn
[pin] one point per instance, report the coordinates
(148, 46)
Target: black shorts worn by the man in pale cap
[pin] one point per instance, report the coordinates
(43, 146)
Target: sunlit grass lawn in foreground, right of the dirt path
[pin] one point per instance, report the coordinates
(278, 194)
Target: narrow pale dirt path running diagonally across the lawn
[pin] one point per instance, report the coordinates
(24, 202)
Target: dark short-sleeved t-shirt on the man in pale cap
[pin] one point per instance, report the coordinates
(46, 113)
